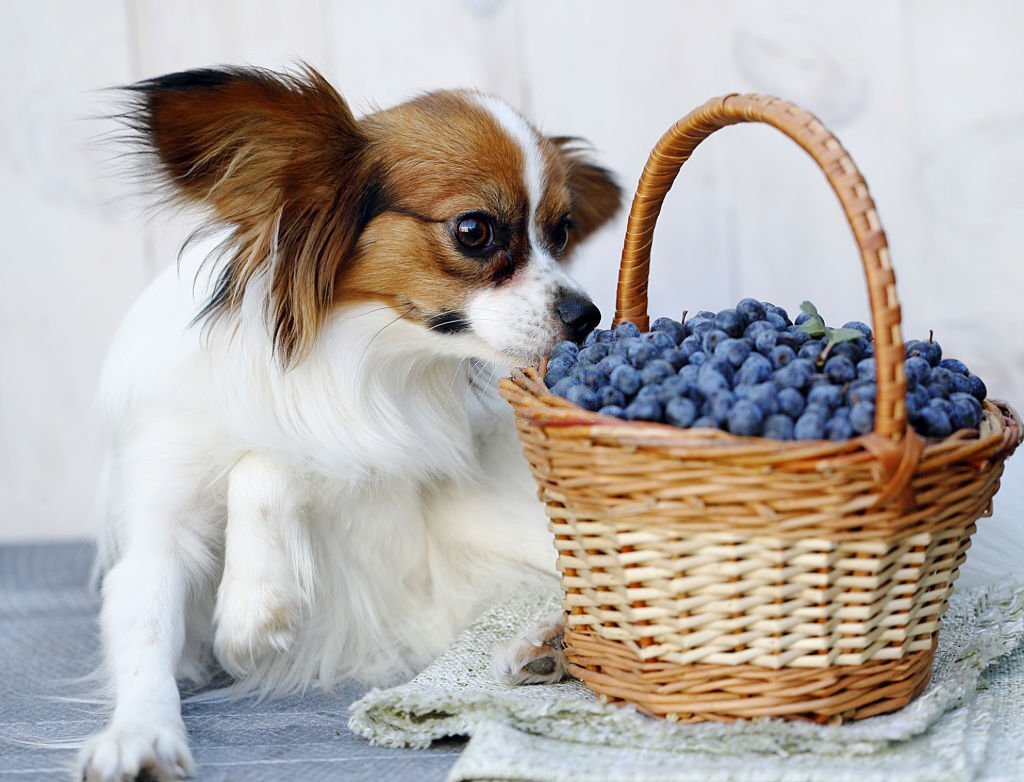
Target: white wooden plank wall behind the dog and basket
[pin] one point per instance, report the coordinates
(925, 94)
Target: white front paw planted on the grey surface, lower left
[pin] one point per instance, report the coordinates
(138, 752)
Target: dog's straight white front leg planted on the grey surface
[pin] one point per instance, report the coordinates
(143, 623)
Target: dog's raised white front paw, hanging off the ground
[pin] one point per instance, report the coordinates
(253, 620)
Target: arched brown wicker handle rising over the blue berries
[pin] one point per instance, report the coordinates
(675, 148)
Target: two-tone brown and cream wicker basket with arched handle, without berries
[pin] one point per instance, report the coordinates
(710, 577)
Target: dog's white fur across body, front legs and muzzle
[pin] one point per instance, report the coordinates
(375, 498)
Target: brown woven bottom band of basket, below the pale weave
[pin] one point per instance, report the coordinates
(702, 692)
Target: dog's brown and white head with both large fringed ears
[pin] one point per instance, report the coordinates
(450, 209)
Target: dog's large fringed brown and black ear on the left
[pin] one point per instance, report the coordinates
(282, 160)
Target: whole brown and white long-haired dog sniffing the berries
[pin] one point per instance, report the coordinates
(310, 473)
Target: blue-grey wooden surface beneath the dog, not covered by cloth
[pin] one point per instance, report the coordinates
(49, 638)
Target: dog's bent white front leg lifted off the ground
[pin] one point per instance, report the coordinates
(269, 566)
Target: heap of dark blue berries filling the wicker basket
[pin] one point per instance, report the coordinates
(751, 371)
